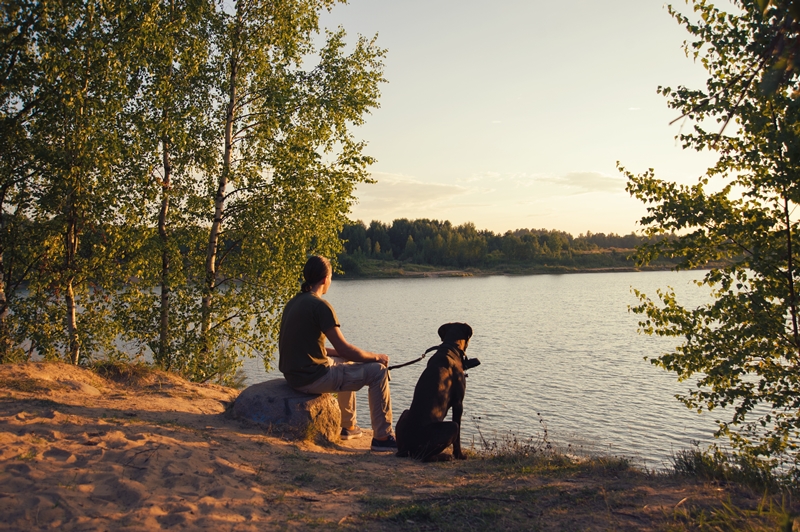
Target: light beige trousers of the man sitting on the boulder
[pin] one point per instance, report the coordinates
(345, 378)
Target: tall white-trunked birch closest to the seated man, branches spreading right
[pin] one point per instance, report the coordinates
(287, 167)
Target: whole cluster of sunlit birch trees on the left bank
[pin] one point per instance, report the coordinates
(166, 167)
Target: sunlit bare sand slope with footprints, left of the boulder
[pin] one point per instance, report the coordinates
(79, 452)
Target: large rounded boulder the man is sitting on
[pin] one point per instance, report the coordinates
(277, 407)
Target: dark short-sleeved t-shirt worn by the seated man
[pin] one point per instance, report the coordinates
(301, 343)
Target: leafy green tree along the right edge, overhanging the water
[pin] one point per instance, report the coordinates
(742, 348)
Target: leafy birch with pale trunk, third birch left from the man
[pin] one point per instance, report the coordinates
(80, 149)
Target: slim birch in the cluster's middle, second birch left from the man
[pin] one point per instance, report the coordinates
(174, 112)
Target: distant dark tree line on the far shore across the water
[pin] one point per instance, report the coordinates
(440, 243)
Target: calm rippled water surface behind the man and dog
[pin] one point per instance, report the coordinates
(560, 348)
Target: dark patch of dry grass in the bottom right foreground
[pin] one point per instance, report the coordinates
(552, 492)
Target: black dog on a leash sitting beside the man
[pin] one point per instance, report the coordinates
(421, 430)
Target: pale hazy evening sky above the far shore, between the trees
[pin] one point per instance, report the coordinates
(513, 114)
